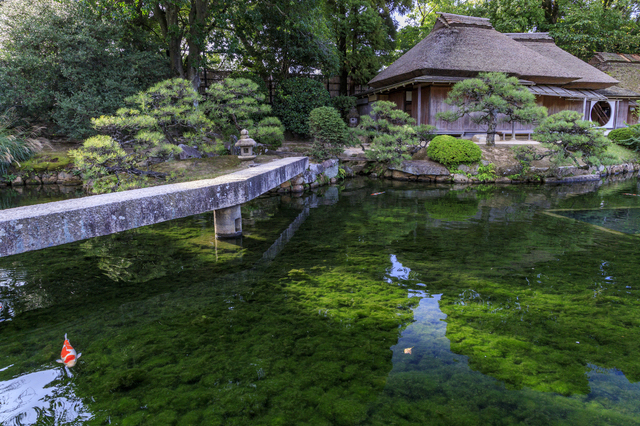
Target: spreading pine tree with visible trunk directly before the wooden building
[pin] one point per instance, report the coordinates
(490, 96)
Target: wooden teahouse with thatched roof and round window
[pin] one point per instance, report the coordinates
(460, 47)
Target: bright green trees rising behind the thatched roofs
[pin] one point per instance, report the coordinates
(580, 27)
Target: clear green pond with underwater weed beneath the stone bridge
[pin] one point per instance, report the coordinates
(423, 304)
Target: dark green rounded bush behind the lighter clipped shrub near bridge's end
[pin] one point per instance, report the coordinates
(294, 100)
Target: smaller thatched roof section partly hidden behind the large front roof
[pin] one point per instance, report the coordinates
(591, 77)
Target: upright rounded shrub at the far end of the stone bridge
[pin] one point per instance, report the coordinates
(329, 132)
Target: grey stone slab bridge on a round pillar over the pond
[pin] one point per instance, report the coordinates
(45, 225)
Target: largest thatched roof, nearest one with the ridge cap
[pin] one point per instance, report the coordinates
(462, 46)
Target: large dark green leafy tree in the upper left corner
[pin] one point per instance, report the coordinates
(63, 64)
